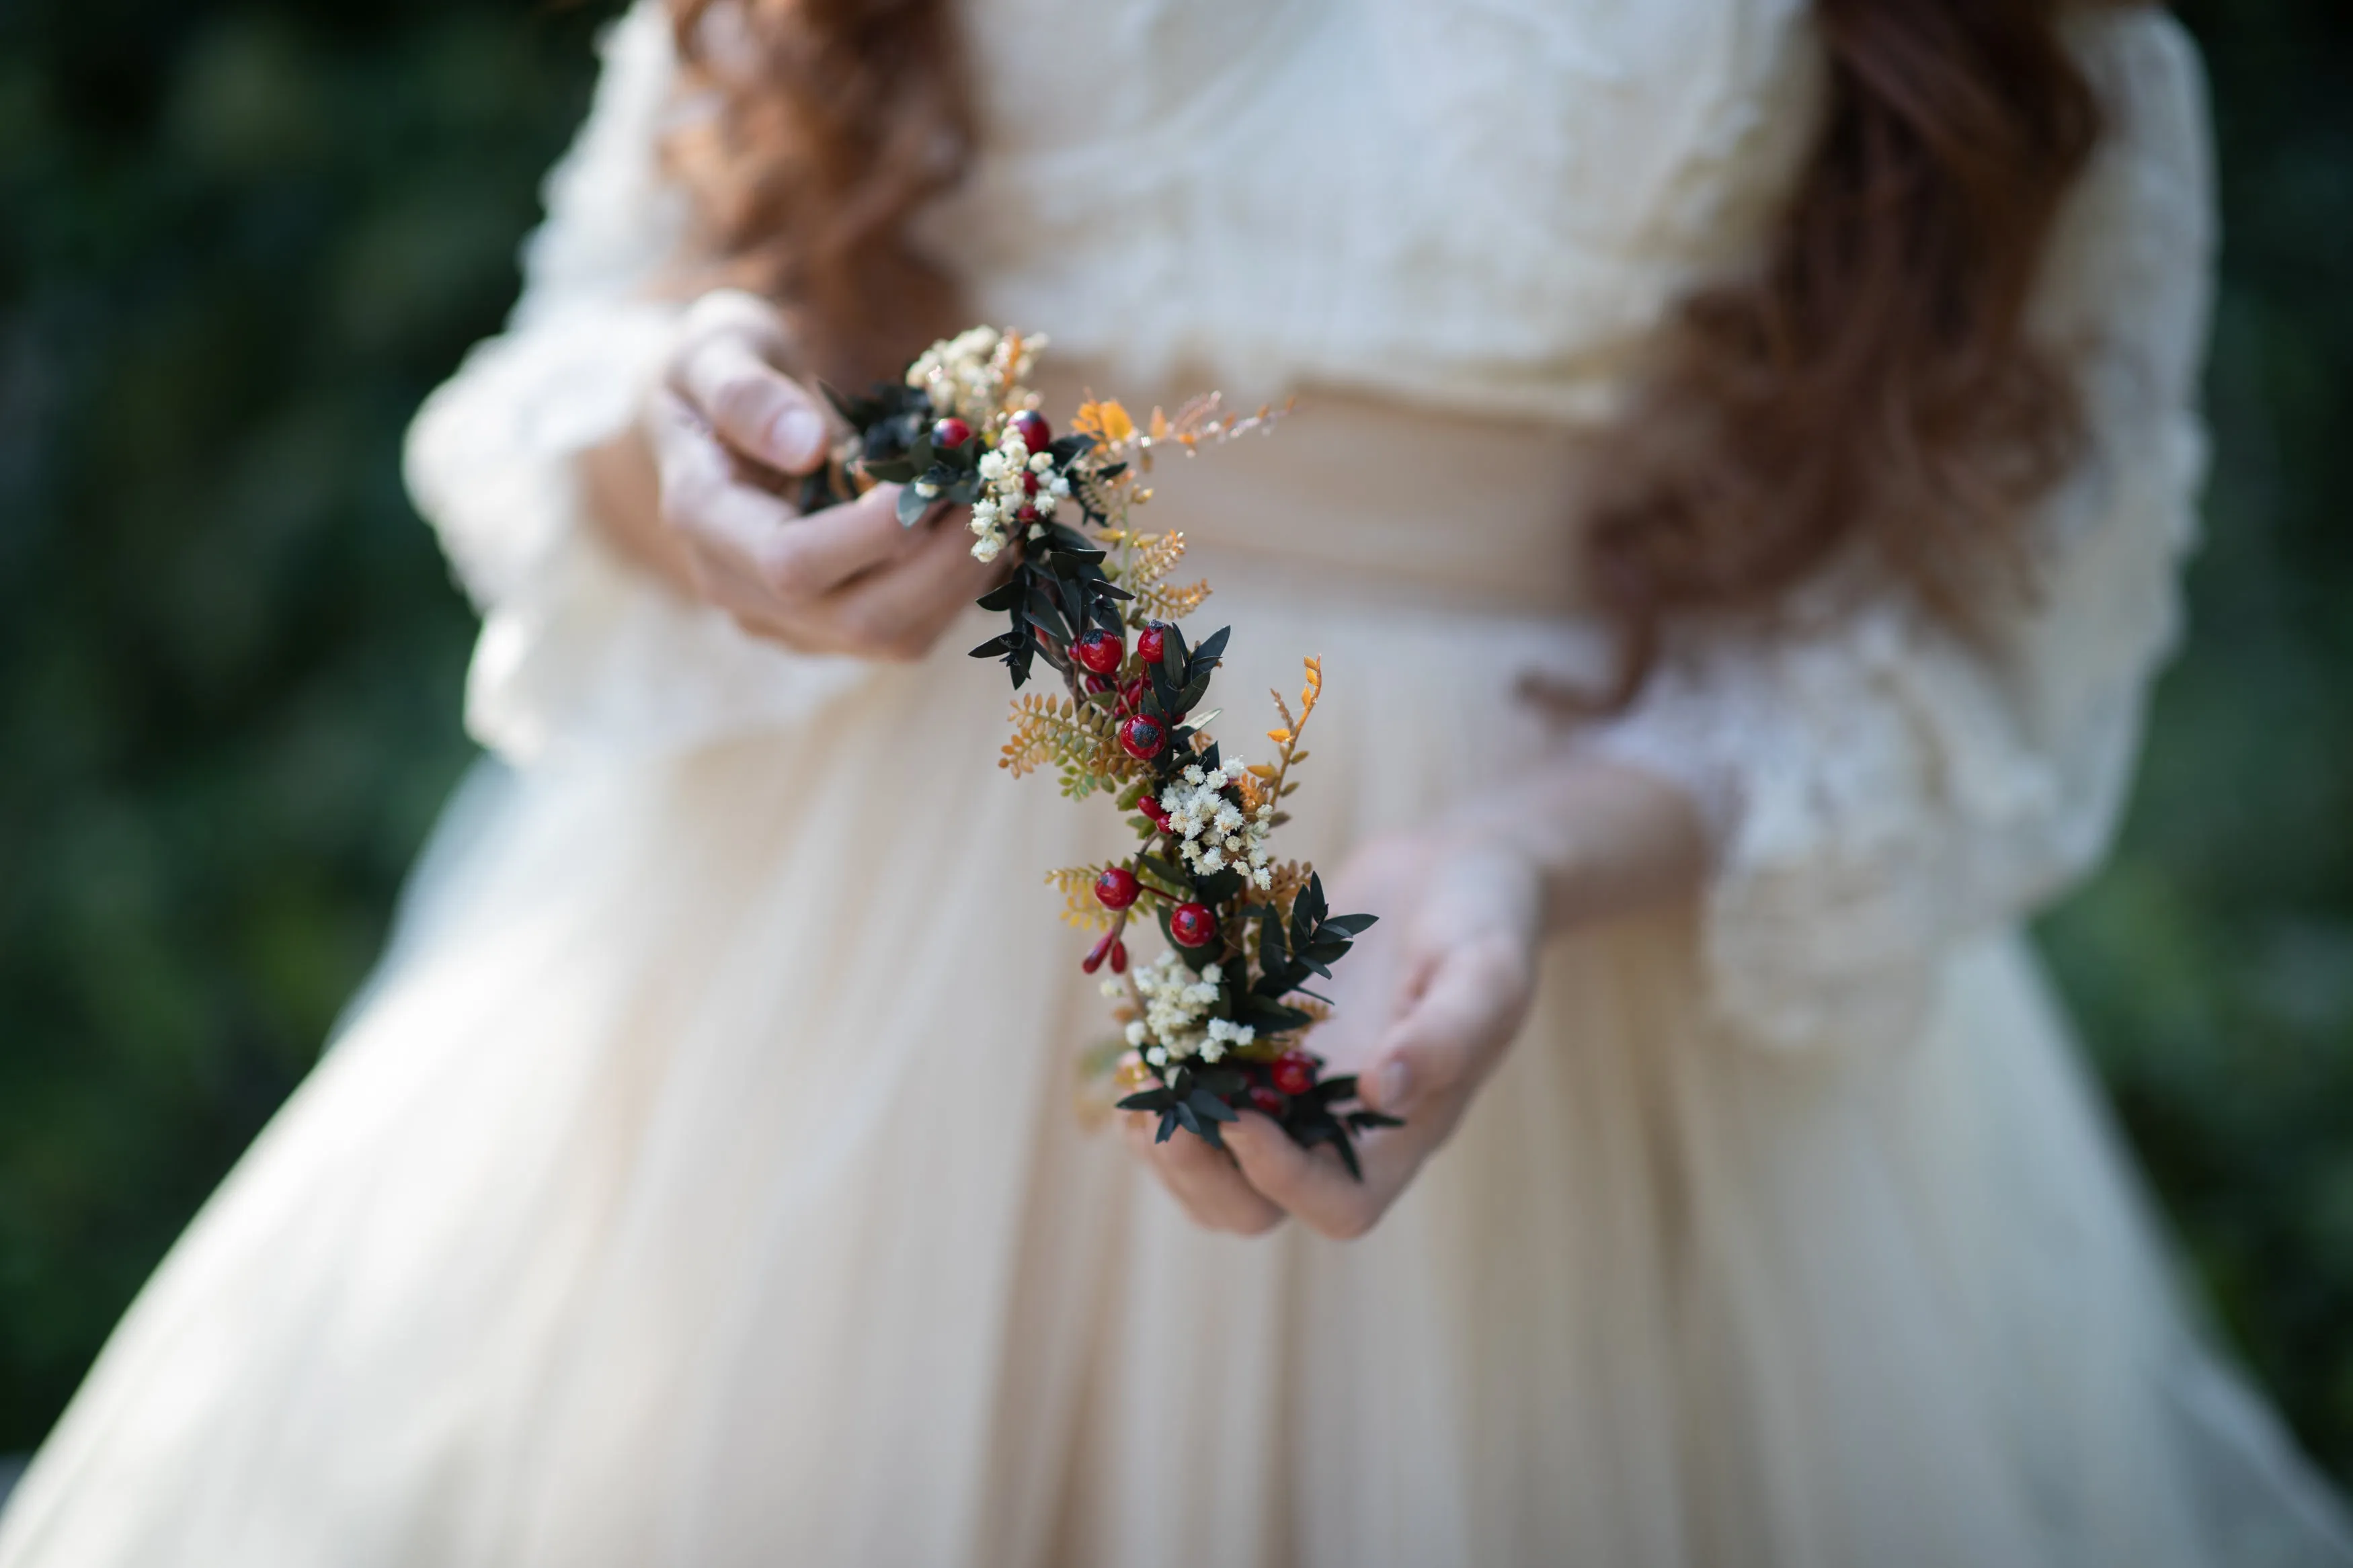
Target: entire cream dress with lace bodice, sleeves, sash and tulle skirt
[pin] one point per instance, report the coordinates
(653, 1207)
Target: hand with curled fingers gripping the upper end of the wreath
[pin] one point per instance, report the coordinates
(726, 427)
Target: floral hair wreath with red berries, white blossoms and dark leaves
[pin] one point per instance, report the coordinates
(1220, 1021)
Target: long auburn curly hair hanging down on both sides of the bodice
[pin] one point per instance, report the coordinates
(1869, 384)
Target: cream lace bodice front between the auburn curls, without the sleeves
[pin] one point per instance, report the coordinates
(1481, 206)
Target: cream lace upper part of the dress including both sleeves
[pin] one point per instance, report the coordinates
(1477, 206)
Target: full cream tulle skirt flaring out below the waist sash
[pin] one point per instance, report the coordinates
(700, 1184)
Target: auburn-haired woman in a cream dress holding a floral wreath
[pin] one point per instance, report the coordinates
(1740, 469)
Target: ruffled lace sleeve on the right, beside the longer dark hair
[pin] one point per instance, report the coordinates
(1881, 791)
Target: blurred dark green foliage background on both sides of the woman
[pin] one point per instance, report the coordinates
(239, 241)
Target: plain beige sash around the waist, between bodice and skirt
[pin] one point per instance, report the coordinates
(1373, 500)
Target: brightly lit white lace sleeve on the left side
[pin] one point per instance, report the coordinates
(582, 652)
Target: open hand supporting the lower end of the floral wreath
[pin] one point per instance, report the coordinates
(1427, 1003)
